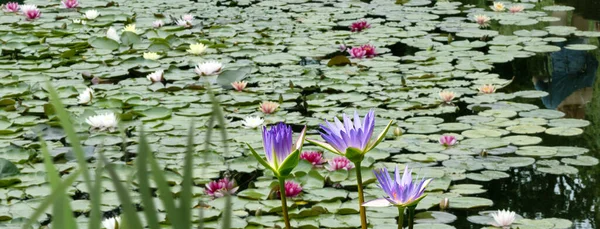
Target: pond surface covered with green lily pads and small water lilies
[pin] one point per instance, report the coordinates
(525, 110)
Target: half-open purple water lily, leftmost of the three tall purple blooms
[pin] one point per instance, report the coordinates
(281, 155)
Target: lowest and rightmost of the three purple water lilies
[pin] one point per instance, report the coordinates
(401, 192)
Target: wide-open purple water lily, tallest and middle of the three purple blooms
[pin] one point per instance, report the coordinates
(351, 138)
